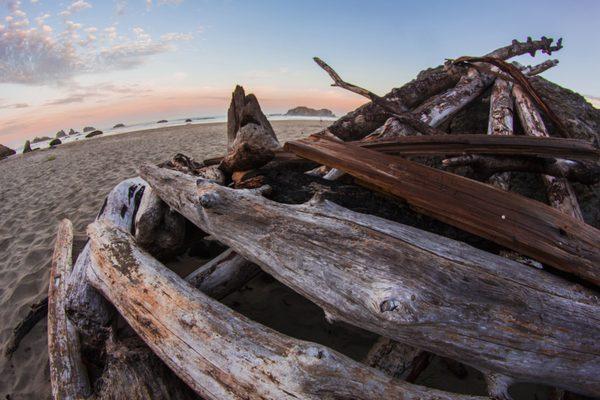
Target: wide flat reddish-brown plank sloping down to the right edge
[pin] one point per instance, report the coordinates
(521, 224)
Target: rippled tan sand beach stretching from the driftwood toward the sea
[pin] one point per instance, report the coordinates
(40, 188)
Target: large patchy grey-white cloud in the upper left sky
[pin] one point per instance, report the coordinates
(43, 55)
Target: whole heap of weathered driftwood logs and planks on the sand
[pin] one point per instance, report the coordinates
(459, 264)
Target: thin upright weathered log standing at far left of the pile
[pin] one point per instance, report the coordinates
(68, 375)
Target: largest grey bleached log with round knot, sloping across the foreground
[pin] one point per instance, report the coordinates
(406, 284)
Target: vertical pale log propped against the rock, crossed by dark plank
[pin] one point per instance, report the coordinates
(501, 122)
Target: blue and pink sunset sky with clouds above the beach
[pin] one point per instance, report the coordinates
(73, 63)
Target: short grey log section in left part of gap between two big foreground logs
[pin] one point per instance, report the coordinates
(223, 275)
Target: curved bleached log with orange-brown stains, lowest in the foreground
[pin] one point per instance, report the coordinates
(218, 352)
